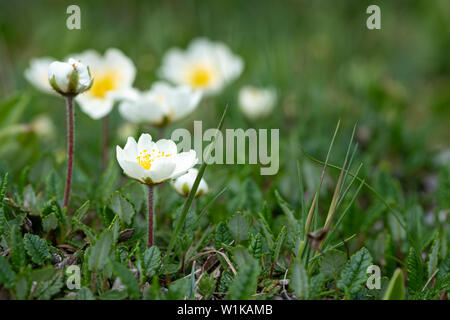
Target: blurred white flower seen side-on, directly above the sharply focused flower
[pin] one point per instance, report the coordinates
(161, 105)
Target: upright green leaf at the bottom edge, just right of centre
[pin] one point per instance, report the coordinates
(244, 284)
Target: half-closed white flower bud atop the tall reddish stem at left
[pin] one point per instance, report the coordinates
(69, 78)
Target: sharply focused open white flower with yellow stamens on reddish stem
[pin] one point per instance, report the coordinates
(153, 162)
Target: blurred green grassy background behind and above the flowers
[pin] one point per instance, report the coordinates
(324, 62)
